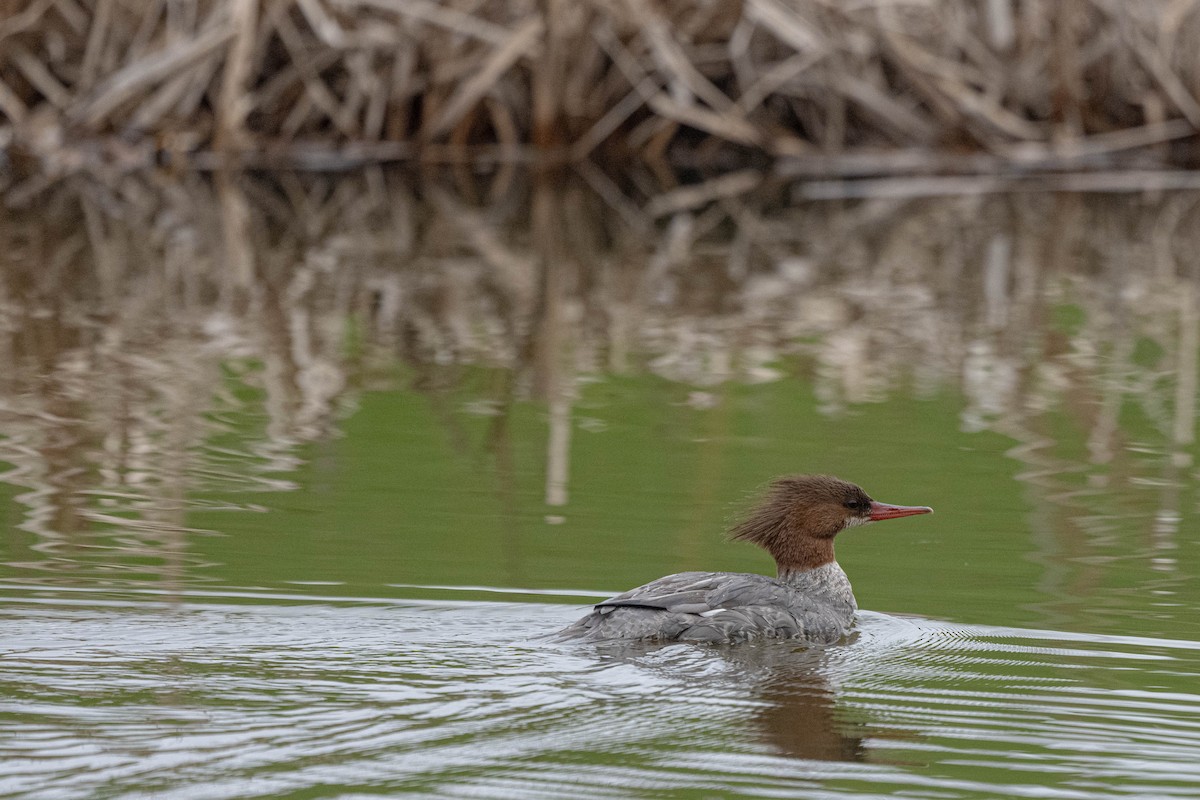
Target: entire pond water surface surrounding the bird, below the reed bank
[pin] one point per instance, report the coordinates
(298, 473)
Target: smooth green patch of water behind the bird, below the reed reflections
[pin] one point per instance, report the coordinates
(651, 494)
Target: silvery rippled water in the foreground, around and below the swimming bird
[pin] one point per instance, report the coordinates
(463, 700)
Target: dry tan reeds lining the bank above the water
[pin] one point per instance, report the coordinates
(334, 83)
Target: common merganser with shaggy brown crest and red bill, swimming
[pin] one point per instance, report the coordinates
(811, 599)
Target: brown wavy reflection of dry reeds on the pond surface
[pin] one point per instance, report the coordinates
(164, 340)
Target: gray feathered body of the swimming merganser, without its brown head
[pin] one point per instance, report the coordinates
(815, 606)
